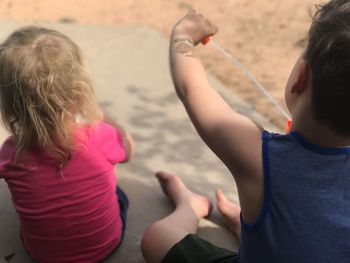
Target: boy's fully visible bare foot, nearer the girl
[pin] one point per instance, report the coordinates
(179, 194)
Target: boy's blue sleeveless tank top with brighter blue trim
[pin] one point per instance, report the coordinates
(306, 211)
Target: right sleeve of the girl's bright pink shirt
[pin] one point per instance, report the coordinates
(110, 142)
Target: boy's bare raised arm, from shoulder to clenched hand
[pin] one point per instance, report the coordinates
(235, 139)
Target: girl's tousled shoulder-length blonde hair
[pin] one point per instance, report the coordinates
(44, 88)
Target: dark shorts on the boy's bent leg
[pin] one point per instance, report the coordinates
(193, 249)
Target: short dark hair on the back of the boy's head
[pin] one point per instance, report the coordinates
(328, 54)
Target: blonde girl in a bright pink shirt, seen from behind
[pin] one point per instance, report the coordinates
(59, 160)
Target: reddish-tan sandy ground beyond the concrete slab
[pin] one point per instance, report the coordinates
(266, 36)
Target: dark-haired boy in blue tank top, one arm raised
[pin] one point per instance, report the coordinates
(294, 188)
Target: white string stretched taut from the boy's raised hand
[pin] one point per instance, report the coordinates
(251, 77)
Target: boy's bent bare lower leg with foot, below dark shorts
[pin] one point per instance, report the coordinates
(162, 235)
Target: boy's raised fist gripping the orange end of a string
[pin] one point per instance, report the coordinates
(195, 26)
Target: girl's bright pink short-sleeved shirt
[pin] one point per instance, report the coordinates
(70, 215)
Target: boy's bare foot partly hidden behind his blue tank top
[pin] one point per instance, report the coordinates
(230, 211)
